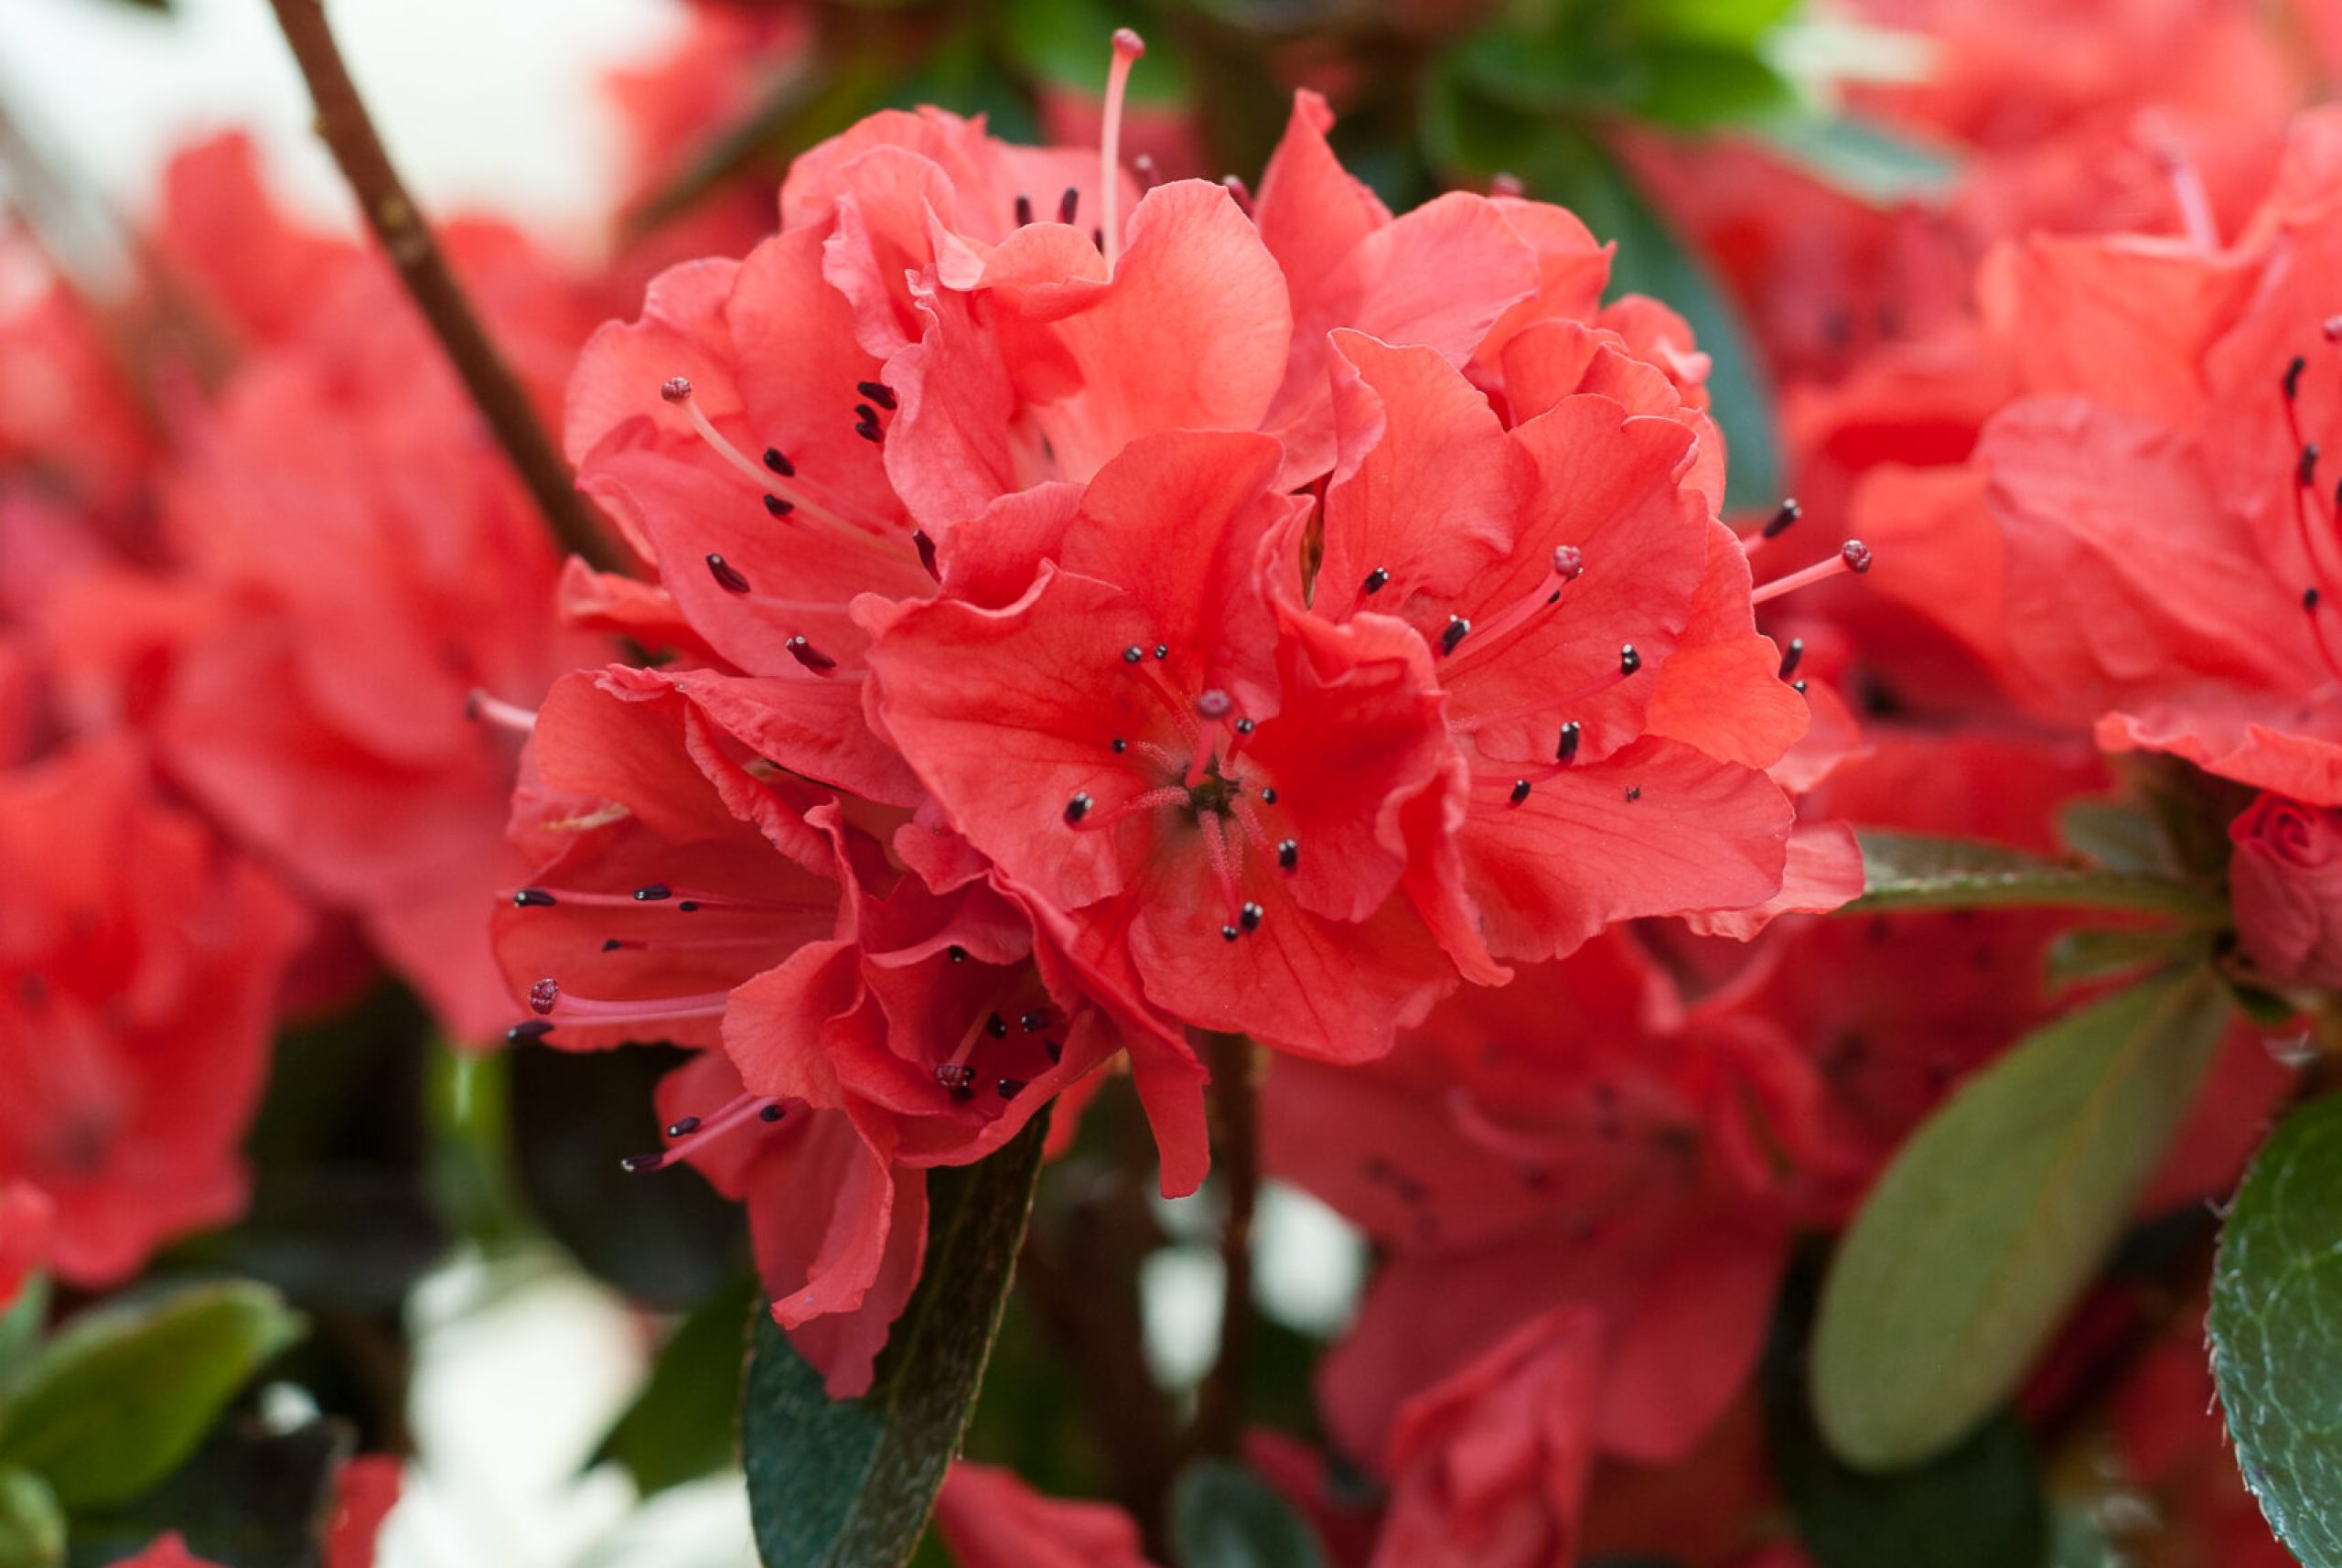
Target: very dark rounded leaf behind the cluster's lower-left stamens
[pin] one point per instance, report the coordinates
(664, 1237)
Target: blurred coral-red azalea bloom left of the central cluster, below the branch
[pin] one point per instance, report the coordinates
(320, 680)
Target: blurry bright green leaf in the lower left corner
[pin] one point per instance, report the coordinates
(125, 1394)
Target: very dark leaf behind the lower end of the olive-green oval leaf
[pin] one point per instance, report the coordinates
(1978, 1506)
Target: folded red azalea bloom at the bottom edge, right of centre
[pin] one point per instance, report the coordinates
(1488, 1469)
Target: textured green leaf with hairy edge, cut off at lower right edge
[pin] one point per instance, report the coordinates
(2275, 1298)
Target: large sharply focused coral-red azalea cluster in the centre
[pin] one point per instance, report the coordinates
(1107, 614)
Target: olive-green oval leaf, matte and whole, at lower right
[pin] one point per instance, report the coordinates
(1997, 1216)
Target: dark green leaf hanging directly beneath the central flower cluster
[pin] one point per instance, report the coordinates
(851, 1483)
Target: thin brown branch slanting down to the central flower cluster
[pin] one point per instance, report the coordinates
(348, 130)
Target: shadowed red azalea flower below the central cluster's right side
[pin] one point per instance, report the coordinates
(1575, 1139)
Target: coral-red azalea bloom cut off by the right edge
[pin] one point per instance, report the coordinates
(2189, 455)
